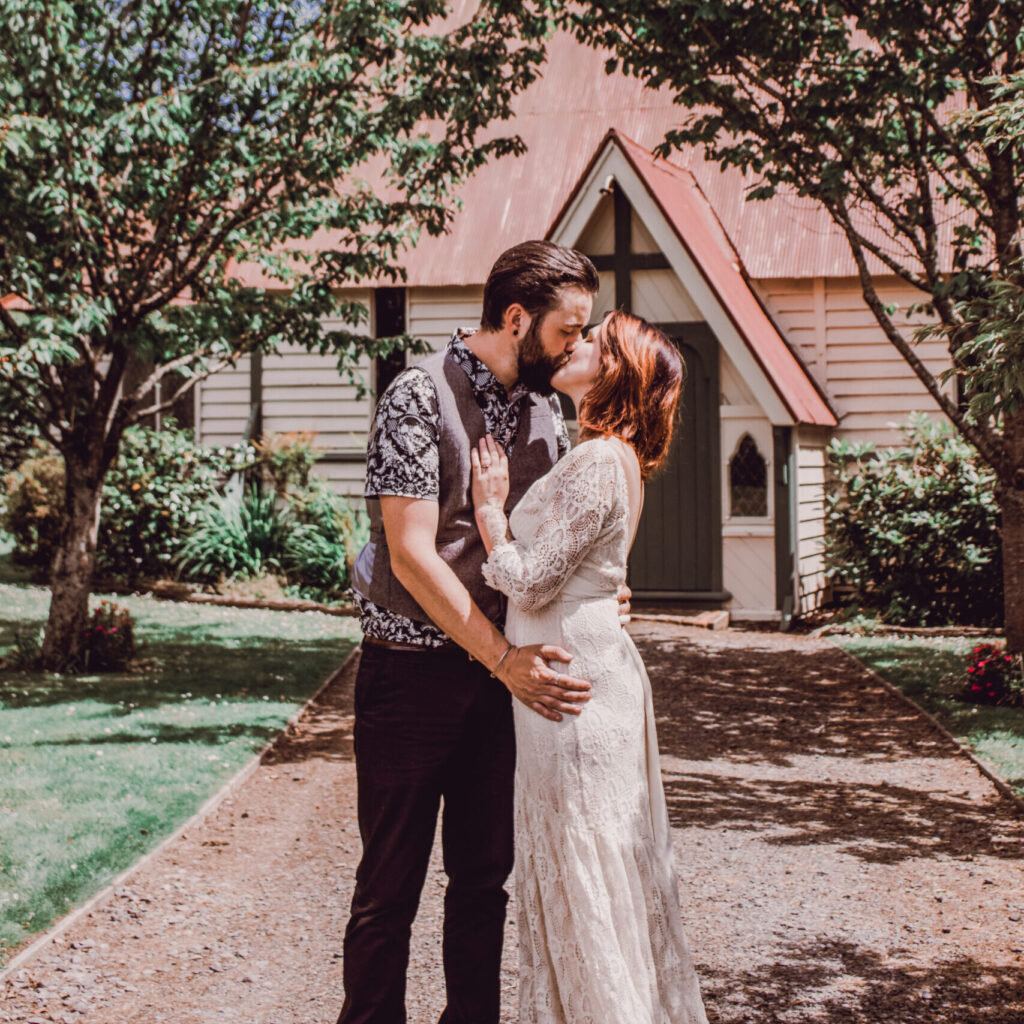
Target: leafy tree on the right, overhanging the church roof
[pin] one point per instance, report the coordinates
(898, 118)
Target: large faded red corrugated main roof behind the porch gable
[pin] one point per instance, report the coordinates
(563, 118)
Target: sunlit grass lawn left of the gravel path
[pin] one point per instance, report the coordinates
(97, 771)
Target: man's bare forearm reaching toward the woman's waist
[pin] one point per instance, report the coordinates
(442, 595)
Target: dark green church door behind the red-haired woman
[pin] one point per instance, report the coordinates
(678, 550)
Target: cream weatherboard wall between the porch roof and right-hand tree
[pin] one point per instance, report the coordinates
(836, 335)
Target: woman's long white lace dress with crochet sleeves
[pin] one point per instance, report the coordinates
(601, 935)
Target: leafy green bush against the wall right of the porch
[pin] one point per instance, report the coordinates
(915, 531)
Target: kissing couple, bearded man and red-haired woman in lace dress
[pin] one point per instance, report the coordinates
(497, 563)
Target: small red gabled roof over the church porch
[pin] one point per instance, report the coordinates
(688, 210)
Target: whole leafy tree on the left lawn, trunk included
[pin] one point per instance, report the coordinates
(150, 148)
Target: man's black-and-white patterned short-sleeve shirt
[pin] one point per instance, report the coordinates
(403, 458)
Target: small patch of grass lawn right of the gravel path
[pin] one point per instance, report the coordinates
(930, 671)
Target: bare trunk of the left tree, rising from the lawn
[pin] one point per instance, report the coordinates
(64, 644)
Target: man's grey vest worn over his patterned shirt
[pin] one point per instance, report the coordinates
(461, 428)
